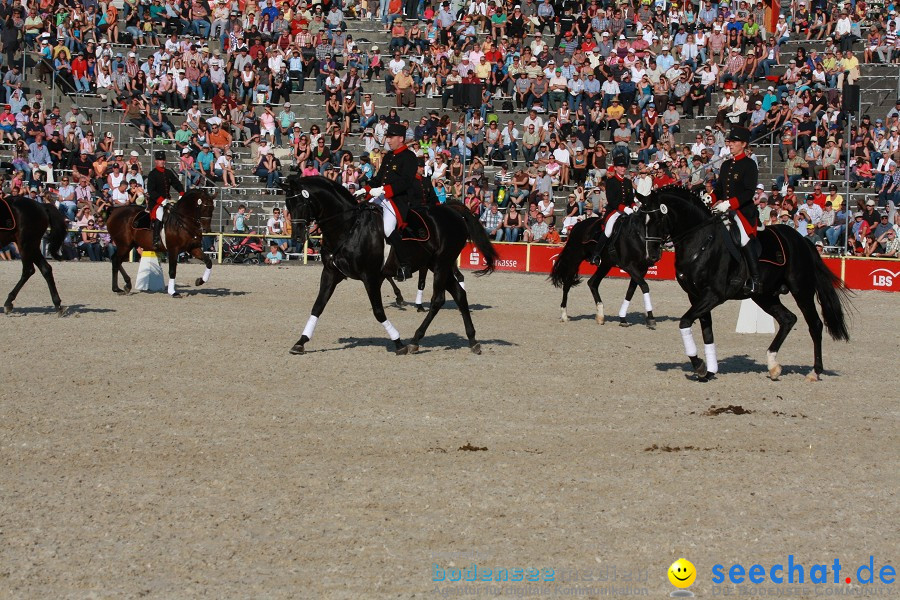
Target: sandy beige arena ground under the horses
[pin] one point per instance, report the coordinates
(174, 449)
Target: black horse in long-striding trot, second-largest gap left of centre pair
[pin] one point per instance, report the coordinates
(353, 248)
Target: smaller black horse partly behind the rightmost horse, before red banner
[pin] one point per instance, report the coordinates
(635, 248)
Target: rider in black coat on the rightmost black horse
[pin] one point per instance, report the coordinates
(735, 190)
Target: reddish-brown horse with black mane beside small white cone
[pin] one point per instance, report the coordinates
(184, 228)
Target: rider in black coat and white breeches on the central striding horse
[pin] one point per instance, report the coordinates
(393, 188)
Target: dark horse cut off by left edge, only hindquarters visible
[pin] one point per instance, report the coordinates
(26, 226)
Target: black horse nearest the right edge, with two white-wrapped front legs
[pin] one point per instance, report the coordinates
(707, 268)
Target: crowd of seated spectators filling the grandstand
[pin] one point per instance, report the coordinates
(560, 89)
